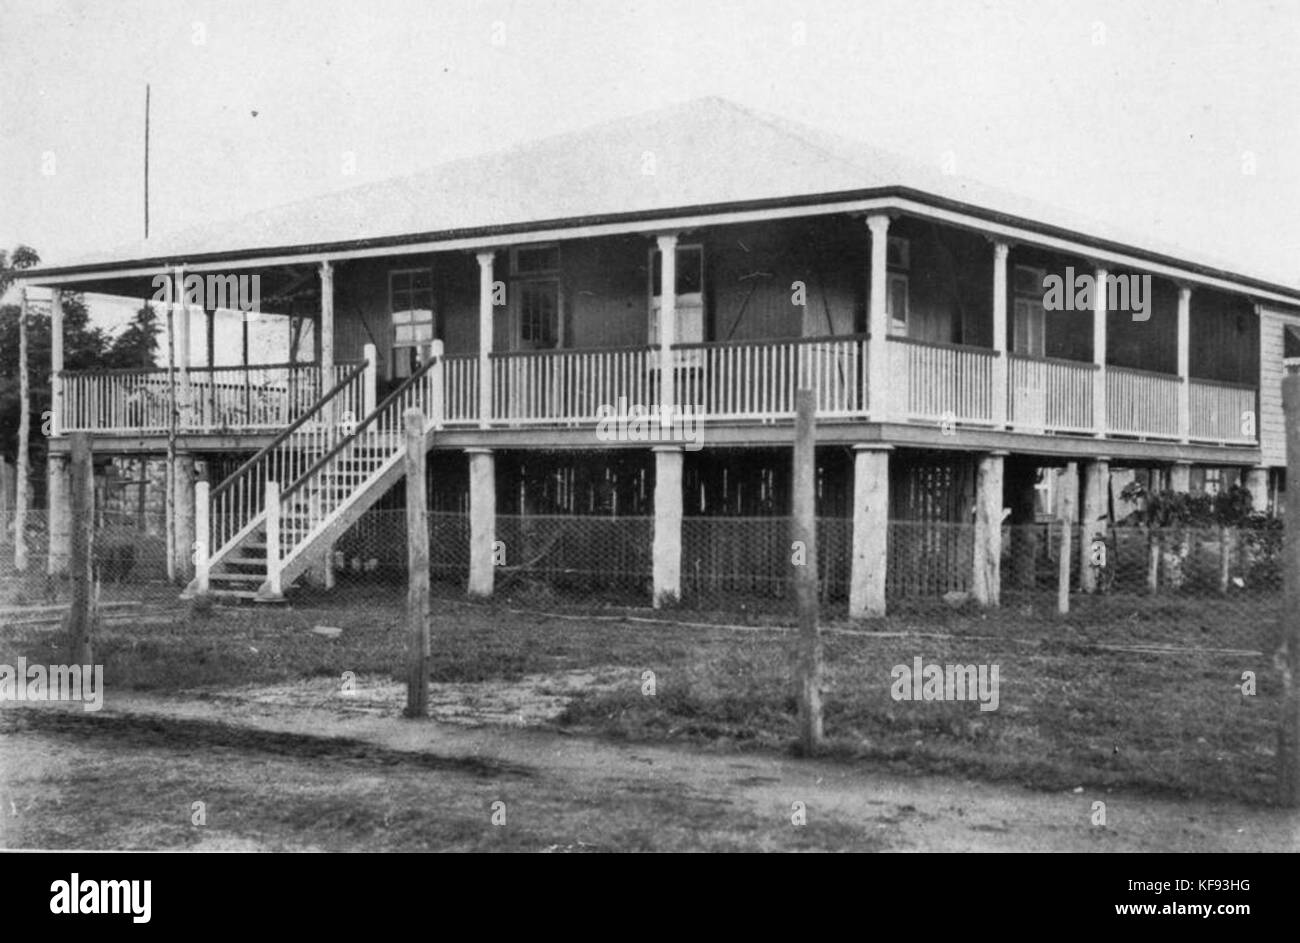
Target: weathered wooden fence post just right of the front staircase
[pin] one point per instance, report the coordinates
(418, 563)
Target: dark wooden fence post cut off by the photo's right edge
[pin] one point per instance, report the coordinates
(1289, 650)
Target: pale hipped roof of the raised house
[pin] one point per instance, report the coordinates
(707, 153)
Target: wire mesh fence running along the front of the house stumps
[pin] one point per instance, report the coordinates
(731, 565)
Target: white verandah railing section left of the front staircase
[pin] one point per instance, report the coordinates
(253, 399)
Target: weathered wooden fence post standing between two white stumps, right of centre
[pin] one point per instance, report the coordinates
(804, 544)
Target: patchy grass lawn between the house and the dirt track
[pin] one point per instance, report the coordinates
(1072, 712)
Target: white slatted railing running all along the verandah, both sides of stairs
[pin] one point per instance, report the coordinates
(729, 380)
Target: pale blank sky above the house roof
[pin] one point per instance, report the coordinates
(1176, 120)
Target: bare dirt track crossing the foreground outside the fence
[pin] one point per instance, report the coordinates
(301, 767)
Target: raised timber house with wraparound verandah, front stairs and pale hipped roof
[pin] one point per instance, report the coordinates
(703, 257)
